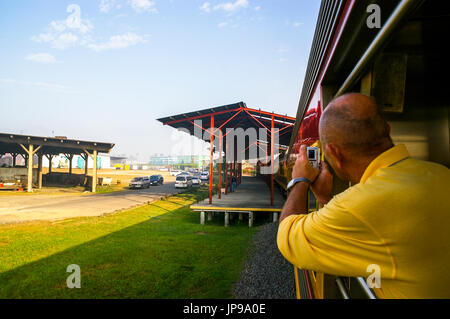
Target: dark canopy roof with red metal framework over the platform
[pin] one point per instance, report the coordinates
(236, 115)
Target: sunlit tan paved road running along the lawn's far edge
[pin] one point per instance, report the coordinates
(20, 208)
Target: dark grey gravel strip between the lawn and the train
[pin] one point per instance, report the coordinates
(266, 274)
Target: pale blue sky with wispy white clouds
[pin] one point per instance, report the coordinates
(105, 70)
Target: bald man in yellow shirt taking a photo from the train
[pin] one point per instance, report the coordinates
(395, 217)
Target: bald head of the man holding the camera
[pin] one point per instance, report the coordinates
(355, 123)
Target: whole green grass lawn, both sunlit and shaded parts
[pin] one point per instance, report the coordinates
(156, 251)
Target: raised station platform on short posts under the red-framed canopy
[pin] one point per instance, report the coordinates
(252, 196)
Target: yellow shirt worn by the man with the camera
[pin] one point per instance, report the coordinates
(397, 217)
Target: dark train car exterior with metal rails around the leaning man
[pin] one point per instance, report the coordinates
(395, 52)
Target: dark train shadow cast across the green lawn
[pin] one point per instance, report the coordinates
(171, 256)
